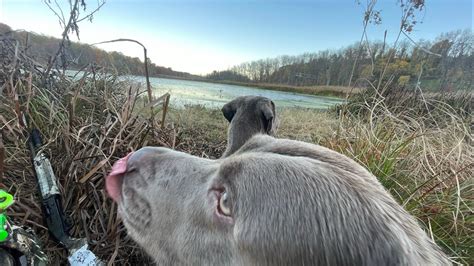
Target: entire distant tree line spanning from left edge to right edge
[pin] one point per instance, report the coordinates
(446, 63)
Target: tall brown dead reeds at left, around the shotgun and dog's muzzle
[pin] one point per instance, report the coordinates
(86, 124)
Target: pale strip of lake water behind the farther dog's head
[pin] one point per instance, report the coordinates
(212, 95)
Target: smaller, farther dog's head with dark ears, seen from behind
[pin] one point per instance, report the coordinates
(248, 116)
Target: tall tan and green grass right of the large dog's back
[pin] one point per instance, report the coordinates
(422, 152)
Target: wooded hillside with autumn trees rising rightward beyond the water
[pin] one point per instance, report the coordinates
(445, 63)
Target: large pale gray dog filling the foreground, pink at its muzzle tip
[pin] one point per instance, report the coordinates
(273, 202)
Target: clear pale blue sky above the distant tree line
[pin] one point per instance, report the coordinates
(202, 36)
